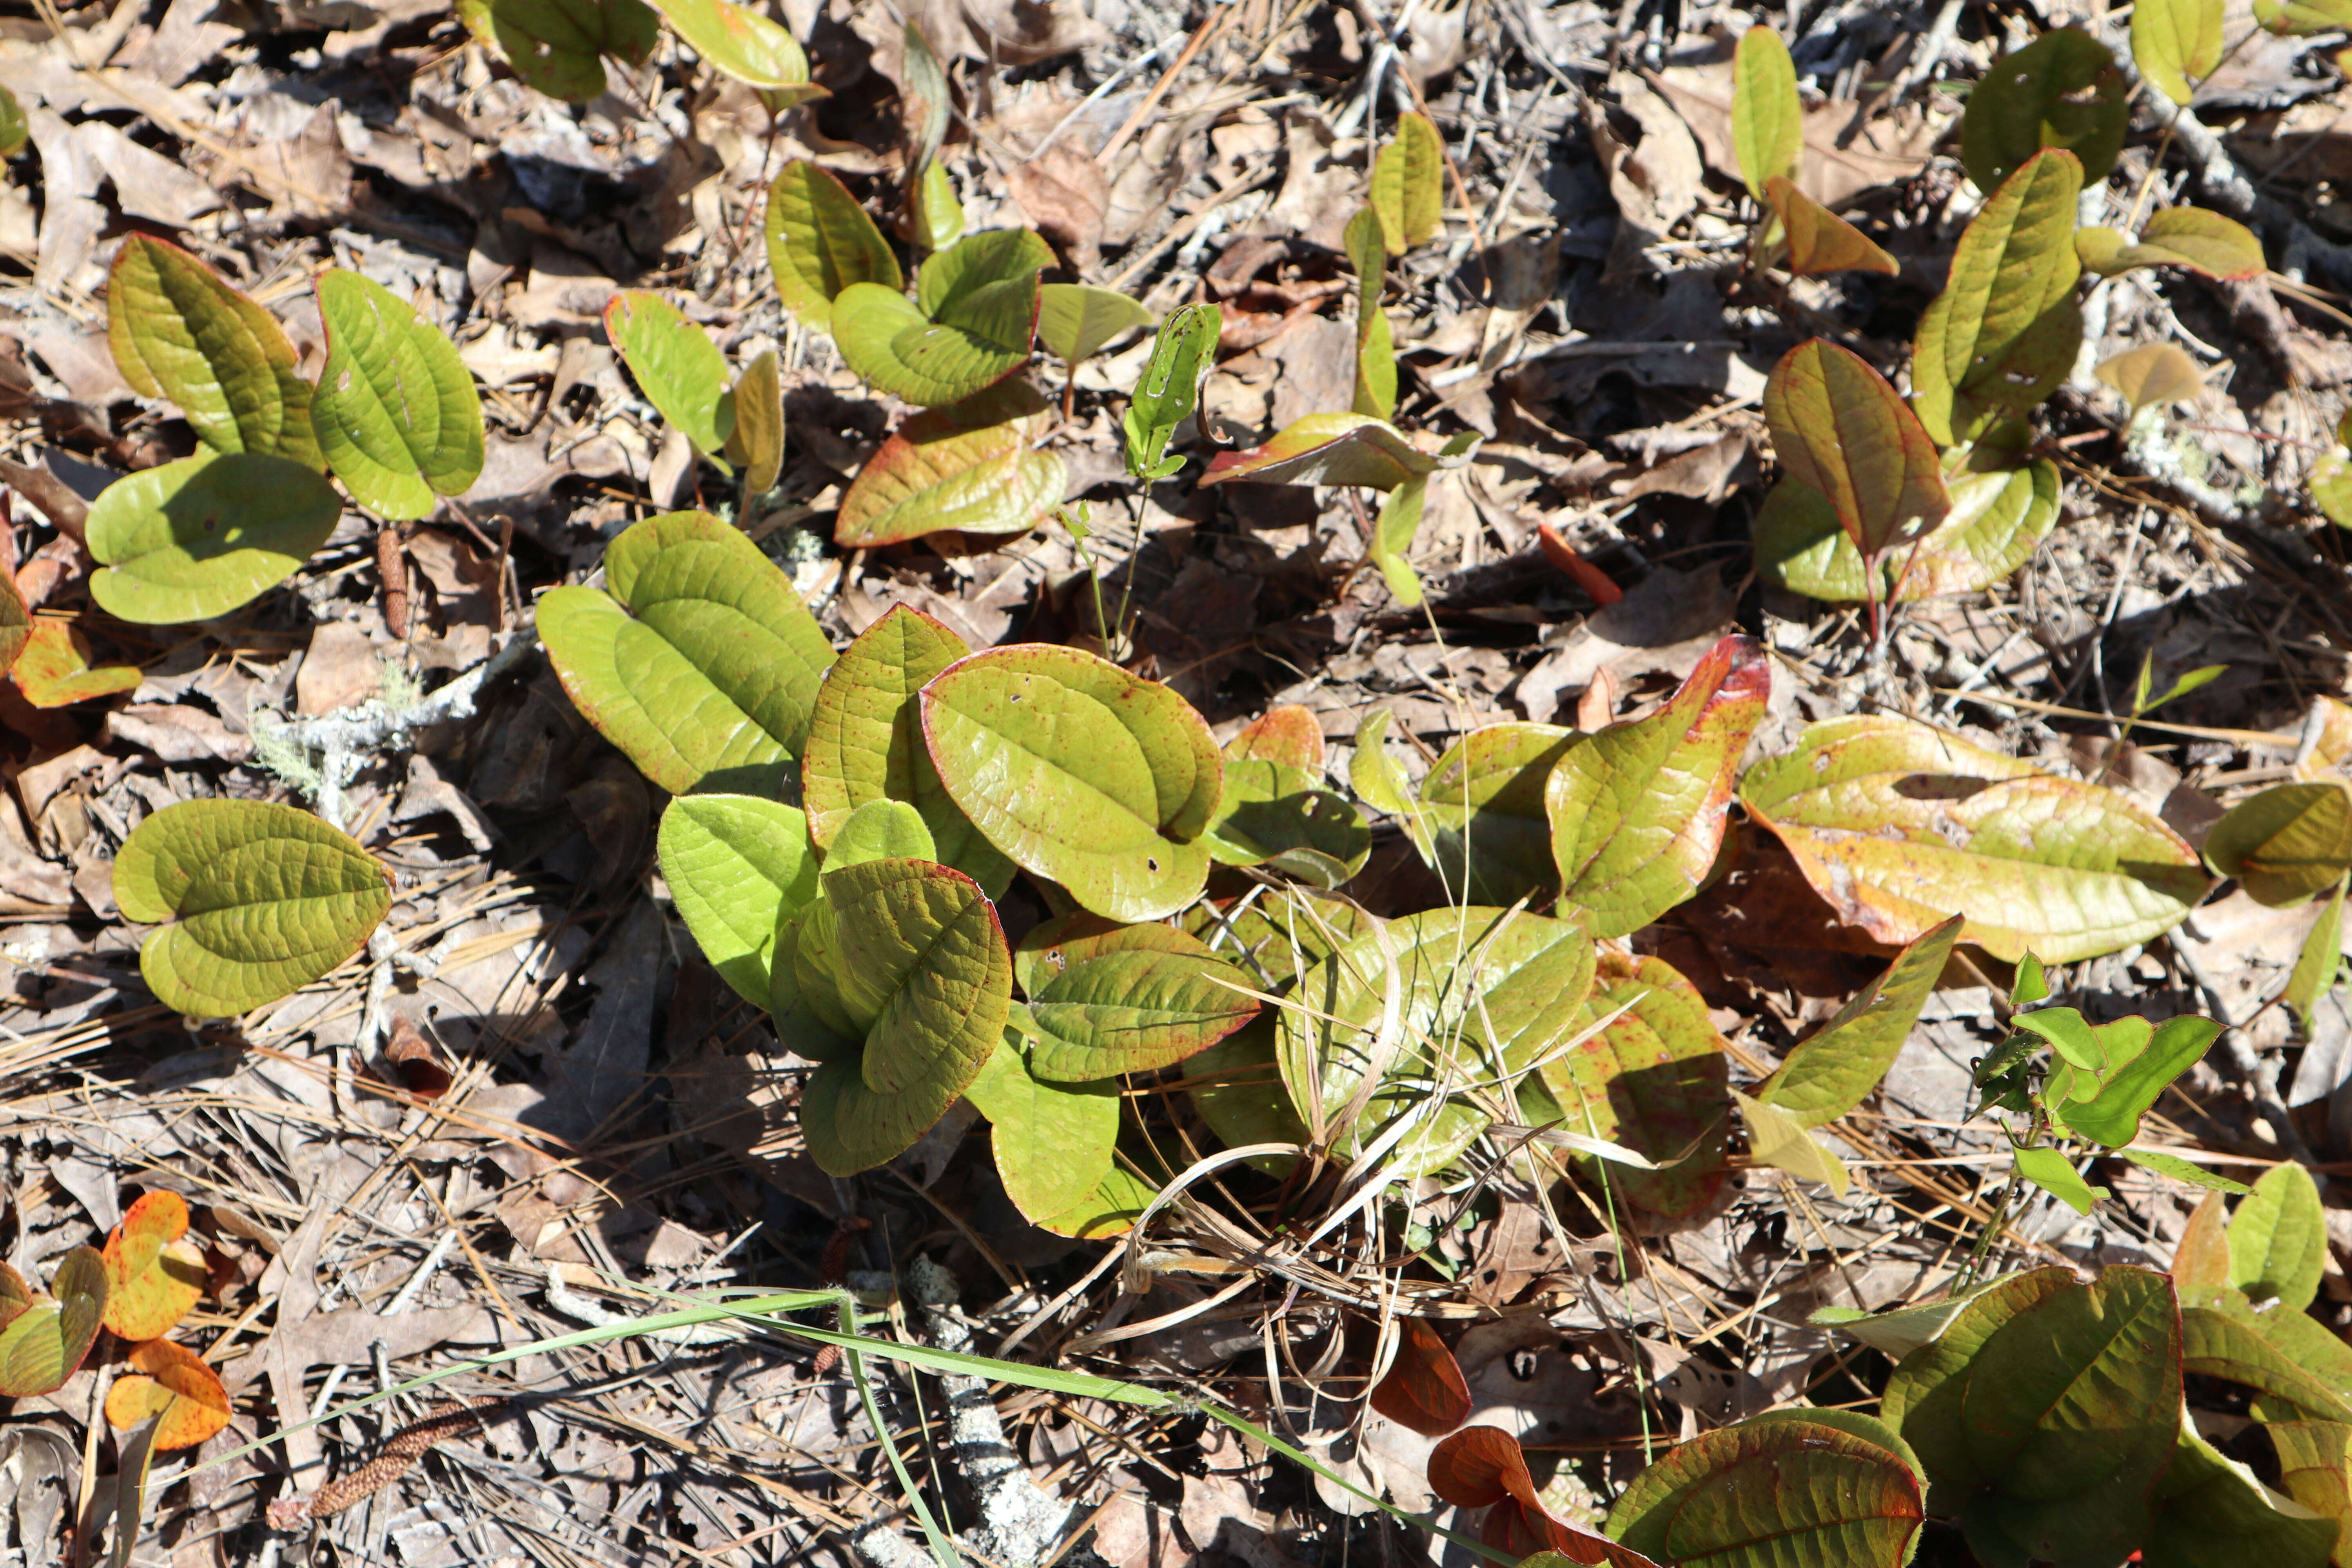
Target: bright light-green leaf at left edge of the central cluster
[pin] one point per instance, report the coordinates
(737, 866)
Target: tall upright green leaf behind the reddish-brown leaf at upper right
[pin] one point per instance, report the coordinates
(2005, 330)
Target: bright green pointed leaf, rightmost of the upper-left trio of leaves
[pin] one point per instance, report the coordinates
(396, 413)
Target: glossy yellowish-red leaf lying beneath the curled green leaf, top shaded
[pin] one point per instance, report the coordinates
(940, 474)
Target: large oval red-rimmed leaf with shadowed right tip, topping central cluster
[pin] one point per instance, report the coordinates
(1078, 772)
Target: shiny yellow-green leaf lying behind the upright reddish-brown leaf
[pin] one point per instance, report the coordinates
(1996, 525)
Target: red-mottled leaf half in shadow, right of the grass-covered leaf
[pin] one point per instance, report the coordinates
(1655, 1080)
